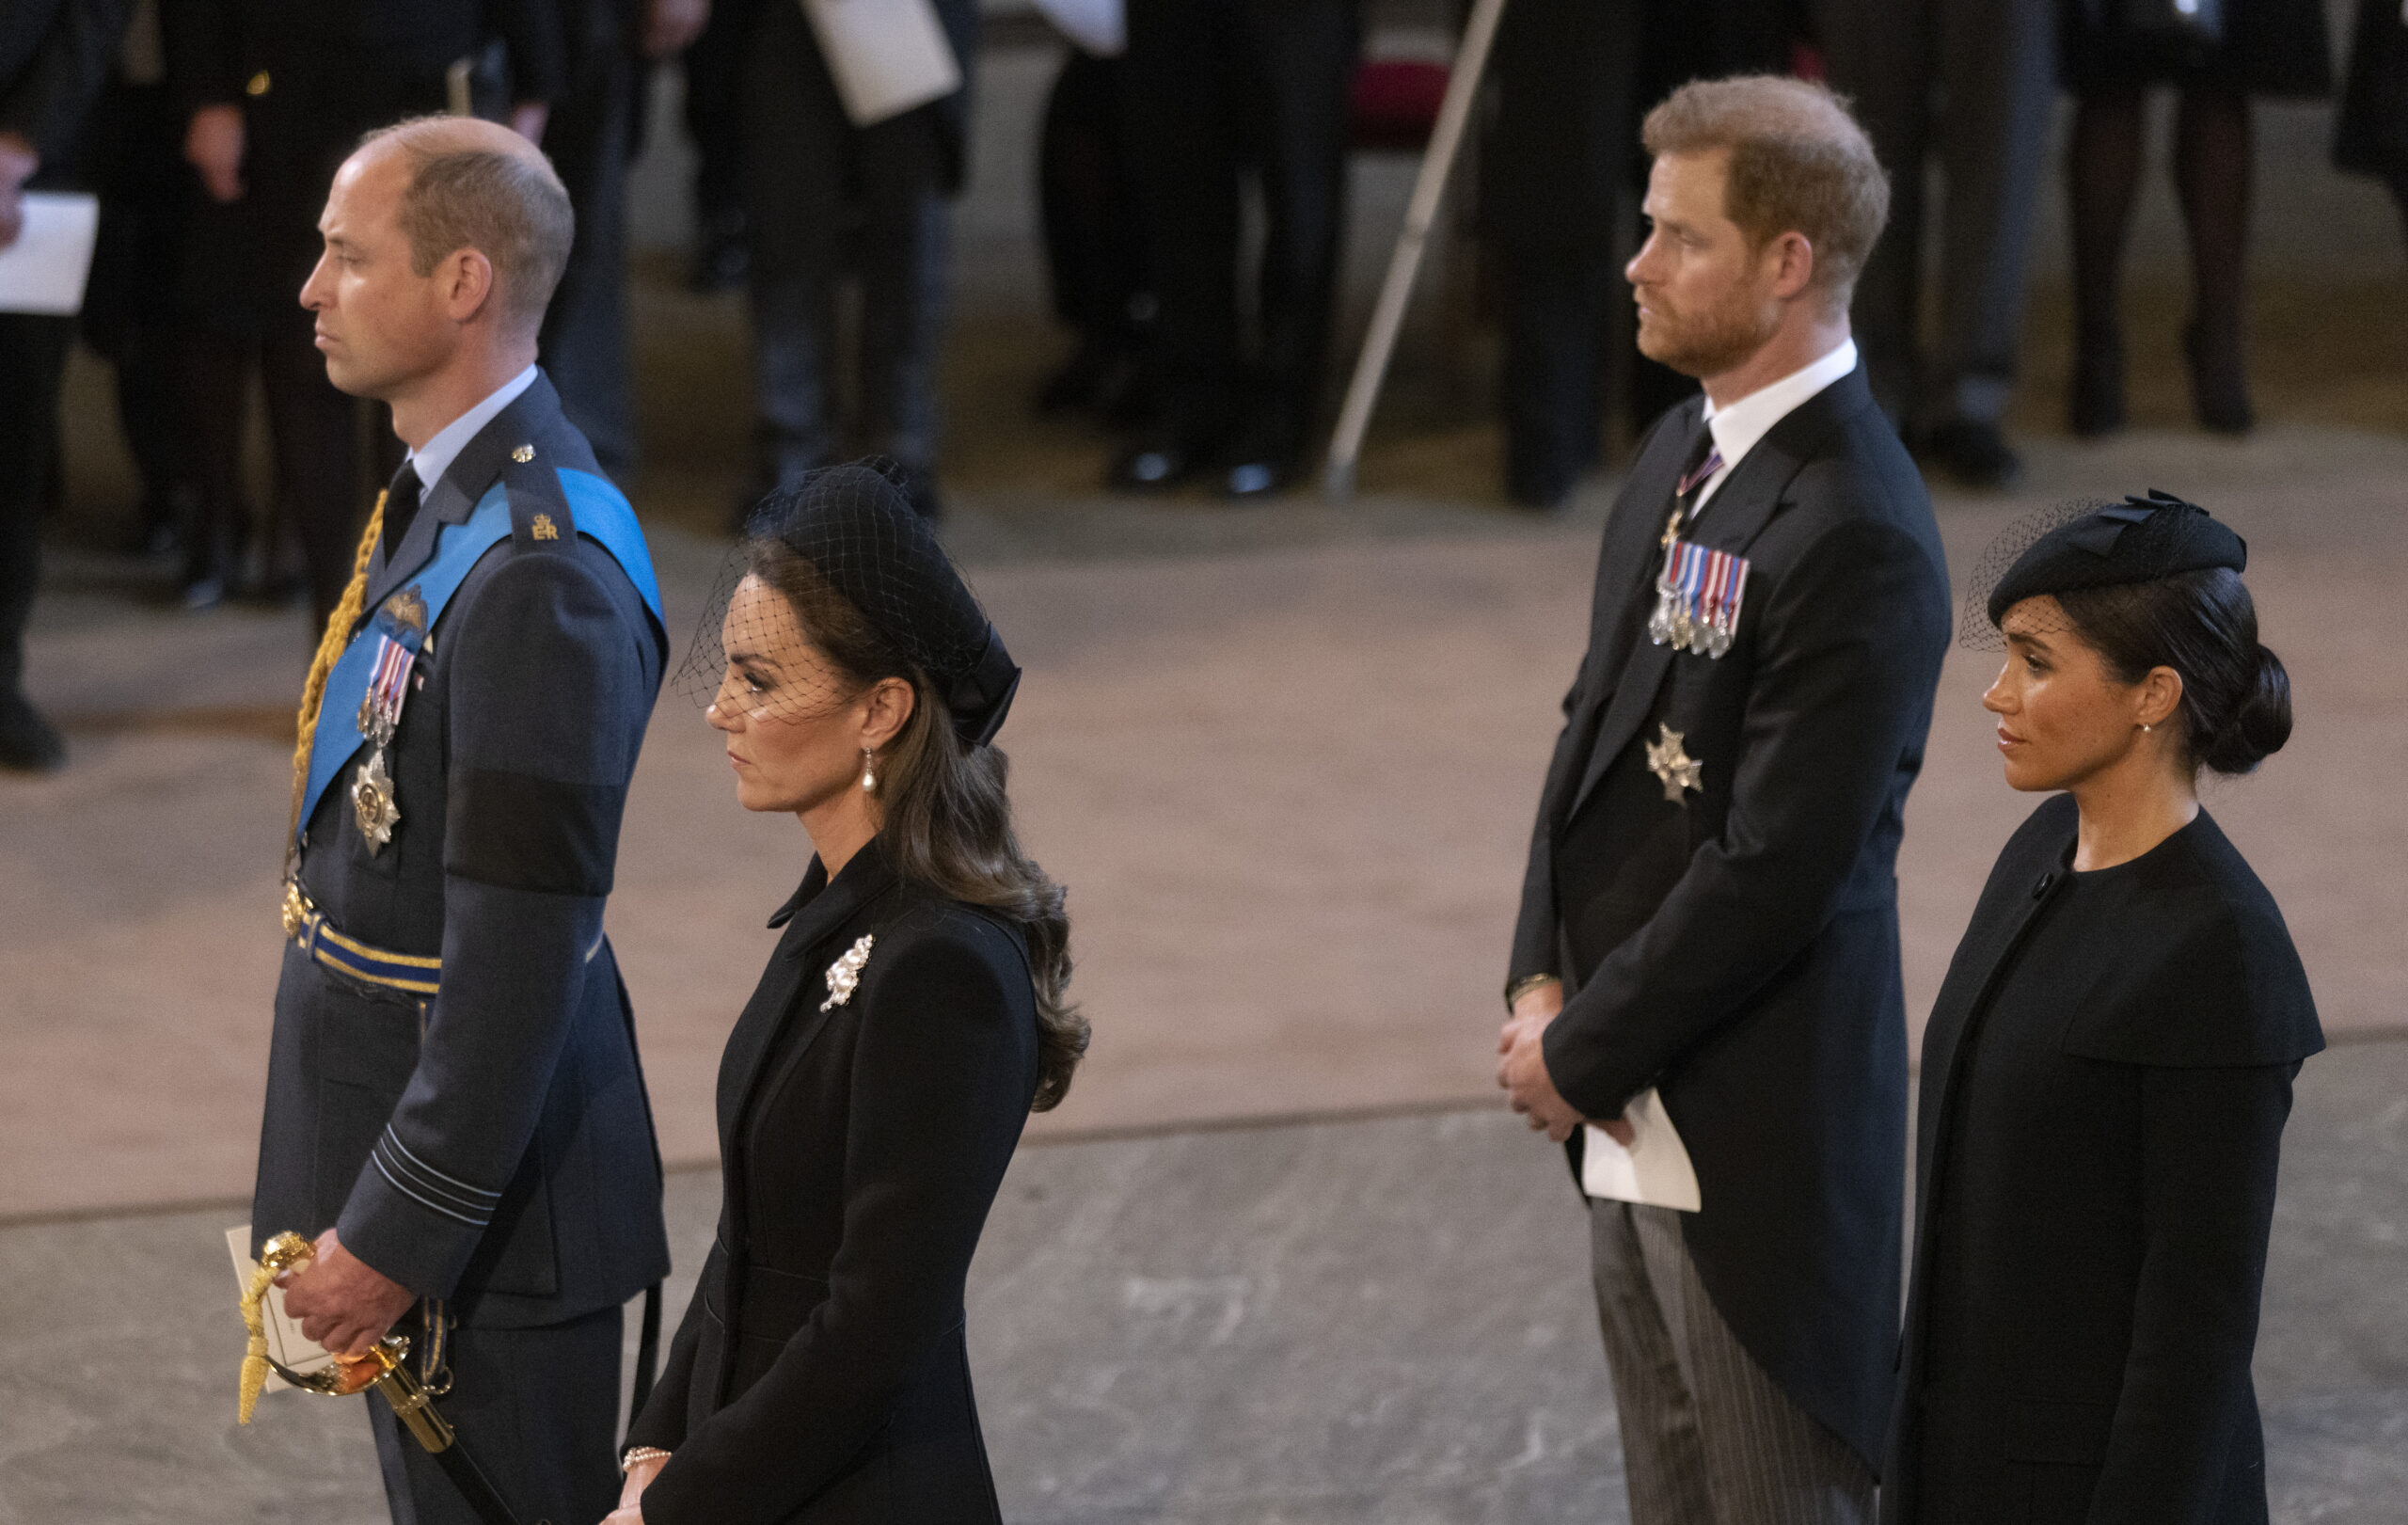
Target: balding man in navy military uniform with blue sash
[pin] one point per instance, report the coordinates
(454, 1095)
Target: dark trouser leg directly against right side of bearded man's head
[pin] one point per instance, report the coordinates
(1882, 57)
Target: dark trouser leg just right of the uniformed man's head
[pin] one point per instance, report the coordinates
(586, 346)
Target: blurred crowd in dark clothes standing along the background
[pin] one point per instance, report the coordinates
(1193, 175)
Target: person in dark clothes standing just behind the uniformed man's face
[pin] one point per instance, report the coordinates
(276, 95)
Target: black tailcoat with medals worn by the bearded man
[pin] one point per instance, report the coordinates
(1740, 950)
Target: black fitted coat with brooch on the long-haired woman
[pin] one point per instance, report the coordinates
(822, 1374)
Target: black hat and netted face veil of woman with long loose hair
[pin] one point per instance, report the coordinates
(856, 529)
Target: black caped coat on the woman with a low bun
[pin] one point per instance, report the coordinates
(2103, 1097)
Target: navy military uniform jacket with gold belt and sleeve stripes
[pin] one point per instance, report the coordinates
(490, 1143)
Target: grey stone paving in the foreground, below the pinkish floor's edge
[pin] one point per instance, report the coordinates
(1338, 1324)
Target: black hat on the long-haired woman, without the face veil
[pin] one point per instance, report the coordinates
(856, 526)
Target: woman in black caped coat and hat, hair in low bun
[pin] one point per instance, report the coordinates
(2111, 1061)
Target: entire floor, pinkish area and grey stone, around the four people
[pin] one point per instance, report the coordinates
(1277, 1259)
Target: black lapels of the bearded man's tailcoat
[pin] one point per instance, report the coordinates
(1730, 522)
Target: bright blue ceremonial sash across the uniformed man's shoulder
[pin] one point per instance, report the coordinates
(598, 512)
